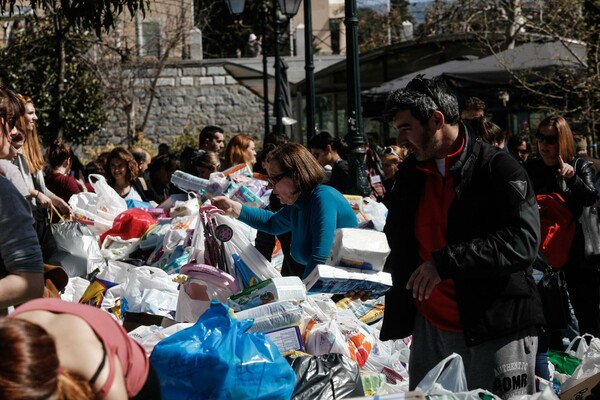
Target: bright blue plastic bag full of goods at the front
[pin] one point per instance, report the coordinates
(217, 359)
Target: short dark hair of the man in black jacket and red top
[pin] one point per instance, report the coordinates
(422, 97)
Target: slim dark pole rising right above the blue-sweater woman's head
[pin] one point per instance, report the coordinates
(309, 67)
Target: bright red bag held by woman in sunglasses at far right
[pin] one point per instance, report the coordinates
(558, 229)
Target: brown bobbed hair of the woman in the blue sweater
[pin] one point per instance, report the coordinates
(296, 161)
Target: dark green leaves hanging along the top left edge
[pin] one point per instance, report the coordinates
(85, 15)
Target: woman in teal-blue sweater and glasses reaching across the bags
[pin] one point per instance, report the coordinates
(311, 211)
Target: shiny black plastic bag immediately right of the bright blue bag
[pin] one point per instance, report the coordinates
(325, 377)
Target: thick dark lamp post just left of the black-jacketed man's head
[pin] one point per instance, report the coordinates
(358, 183)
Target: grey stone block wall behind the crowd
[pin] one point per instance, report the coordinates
(190, 94)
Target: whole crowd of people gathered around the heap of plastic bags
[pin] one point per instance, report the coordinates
(463, 226)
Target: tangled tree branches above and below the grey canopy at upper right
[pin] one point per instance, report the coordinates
(572, 92)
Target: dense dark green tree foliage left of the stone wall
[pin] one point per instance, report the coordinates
(29, 66)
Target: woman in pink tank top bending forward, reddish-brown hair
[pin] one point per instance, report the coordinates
(55, 349)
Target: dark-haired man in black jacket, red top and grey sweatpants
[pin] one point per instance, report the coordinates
(464, 229)
